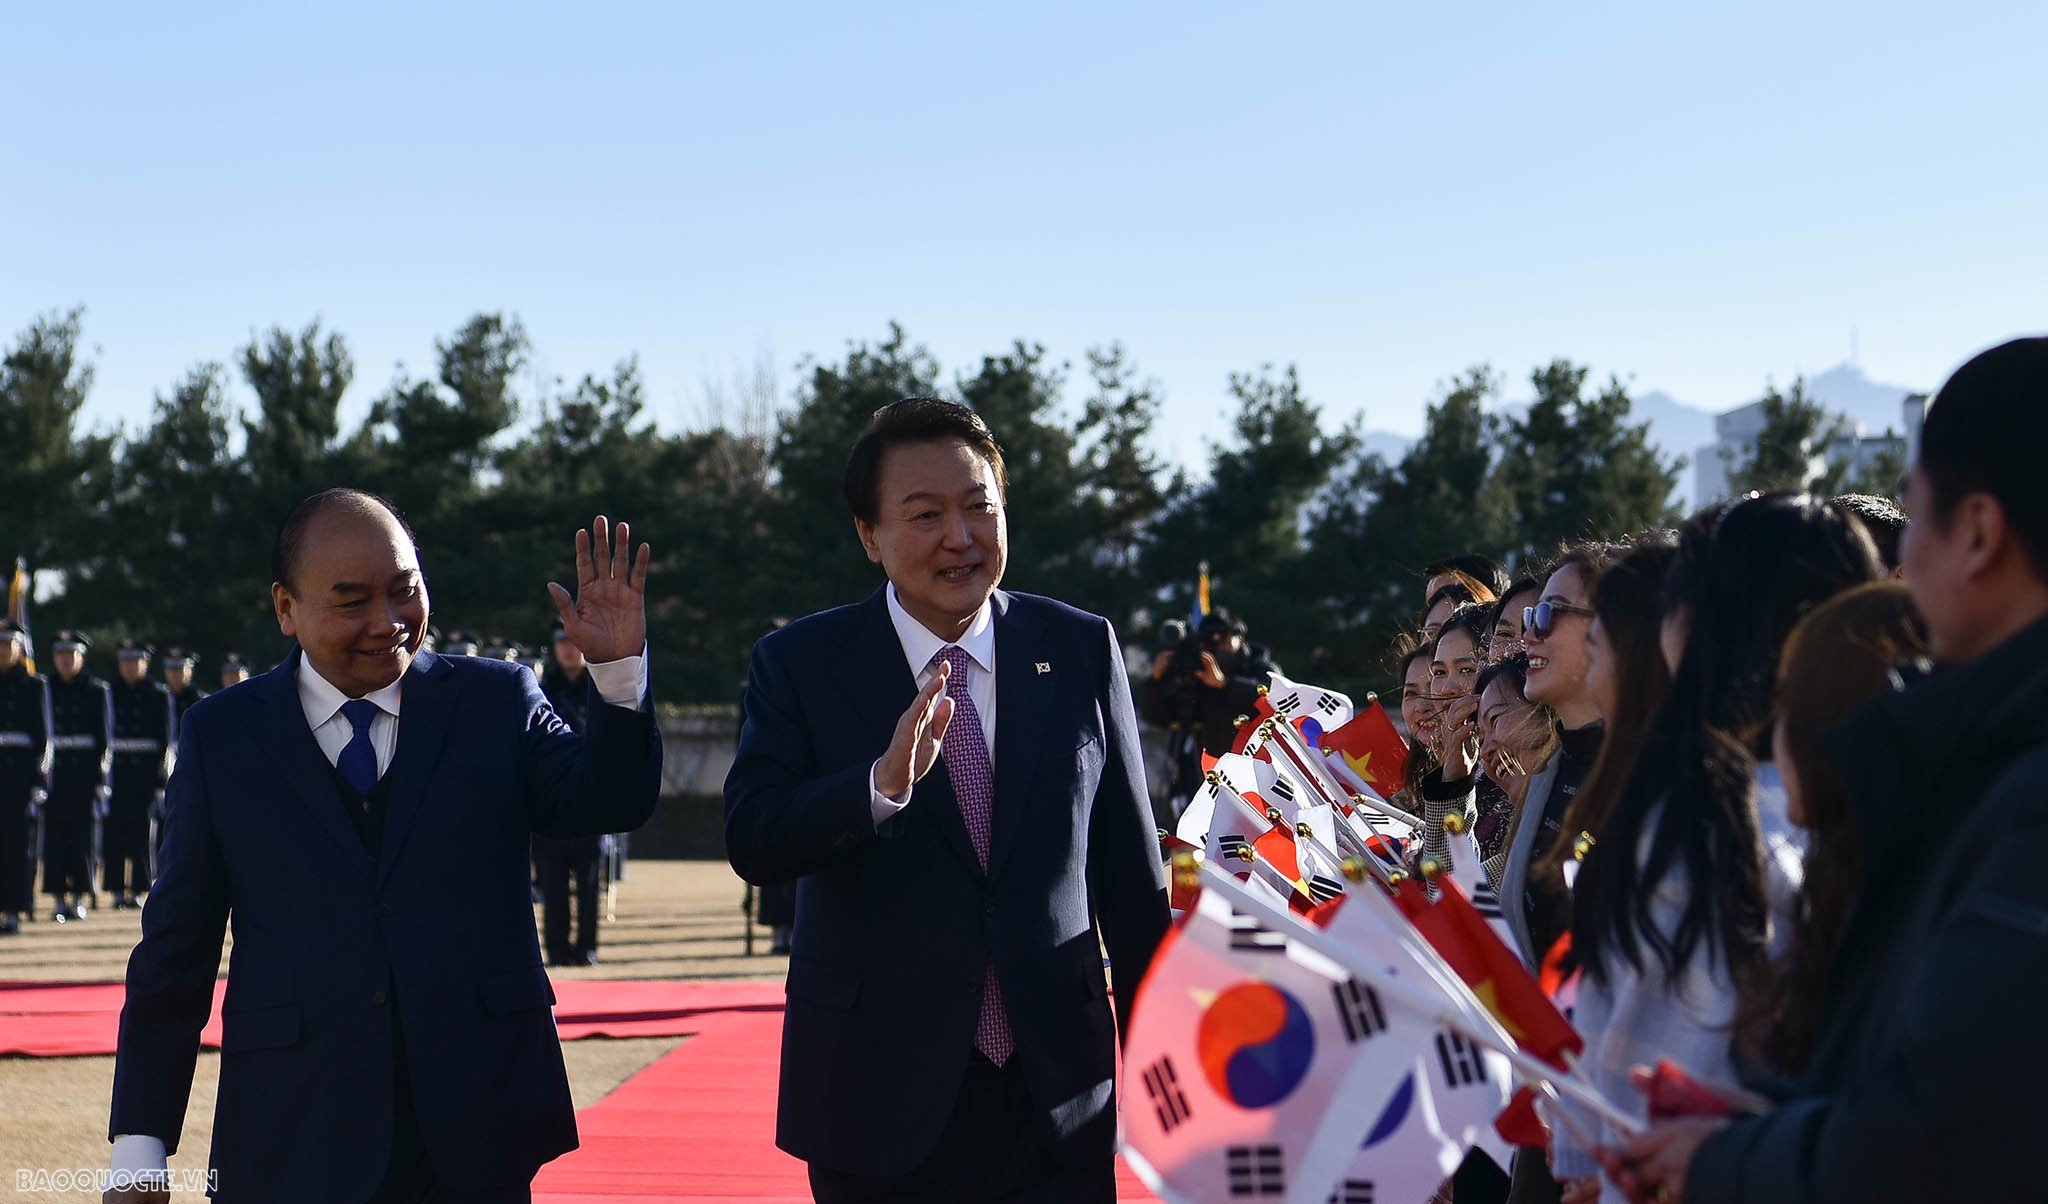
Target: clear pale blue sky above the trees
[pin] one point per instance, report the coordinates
(1381, 198)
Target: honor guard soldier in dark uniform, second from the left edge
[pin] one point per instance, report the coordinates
(83, 728)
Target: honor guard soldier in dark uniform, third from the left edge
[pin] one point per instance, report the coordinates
(146, 738)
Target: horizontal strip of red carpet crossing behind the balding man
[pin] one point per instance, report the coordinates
(85, 1019)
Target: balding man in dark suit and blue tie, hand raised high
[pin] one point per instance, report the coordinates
(364, 816)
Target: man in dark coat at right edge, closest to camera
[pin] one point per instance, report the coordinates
(1926, 1078)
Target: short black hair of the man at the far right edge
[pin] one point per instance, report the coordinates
(1983, 437)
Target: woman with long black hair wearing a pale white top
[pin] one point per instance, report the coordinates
(1674, 902)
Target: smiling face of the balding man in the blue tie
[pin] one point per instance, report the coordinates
(357, 603)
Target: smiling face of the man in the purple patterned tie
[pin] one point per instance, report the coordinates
(939, 531)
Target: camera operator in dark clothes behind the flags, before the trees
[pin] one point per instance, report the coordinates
(1199, 687)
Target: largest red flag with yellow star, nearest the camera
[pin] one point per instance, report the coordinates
(1494, 972)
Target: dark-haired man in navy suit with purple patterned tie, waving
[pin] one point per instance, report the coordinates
(953, 773)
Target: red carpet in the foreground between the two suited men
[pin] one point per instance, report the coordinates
(699, 1125)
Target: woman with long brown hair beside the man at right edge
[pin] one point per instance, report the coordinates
(1840, 656)
